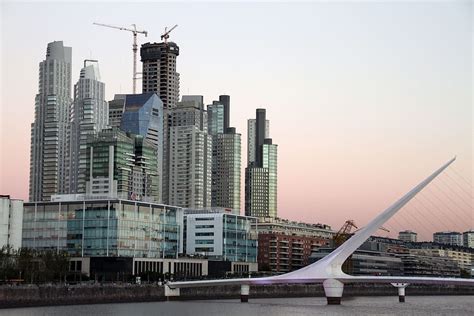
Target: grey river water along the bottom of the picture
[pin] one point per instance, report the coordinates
(385, 305)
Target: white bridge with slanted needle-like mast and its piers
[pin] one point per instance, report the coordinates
(328, 270)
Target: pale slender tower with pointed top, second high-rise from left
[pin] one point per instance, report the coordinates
(89, 116)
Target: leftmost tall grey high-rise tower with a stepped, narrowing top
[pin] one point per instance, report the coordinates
(49, 130)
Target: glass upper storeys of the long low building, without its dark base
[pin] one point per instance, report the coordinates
(110, 228)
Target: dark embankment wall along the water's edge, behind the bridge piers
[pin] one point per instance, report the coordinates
(23, 296)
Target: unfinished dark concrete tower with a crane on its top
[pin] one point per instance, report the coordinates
(159, 71)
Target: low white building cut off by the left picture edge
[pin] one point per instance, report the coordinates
(11, 221)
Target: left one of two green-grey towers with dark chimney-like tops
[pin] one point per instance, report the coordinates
(226, 156)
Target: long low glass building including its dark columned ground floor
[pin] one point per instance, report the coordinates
(109, 238)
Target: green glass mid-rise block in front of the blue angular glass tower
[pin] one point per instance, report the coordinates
(122, 165)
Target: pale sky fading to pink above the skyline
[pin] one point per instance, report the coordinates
(365, 99)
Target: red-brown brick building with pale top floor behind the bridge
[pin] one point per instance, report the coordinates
(285, 245)
